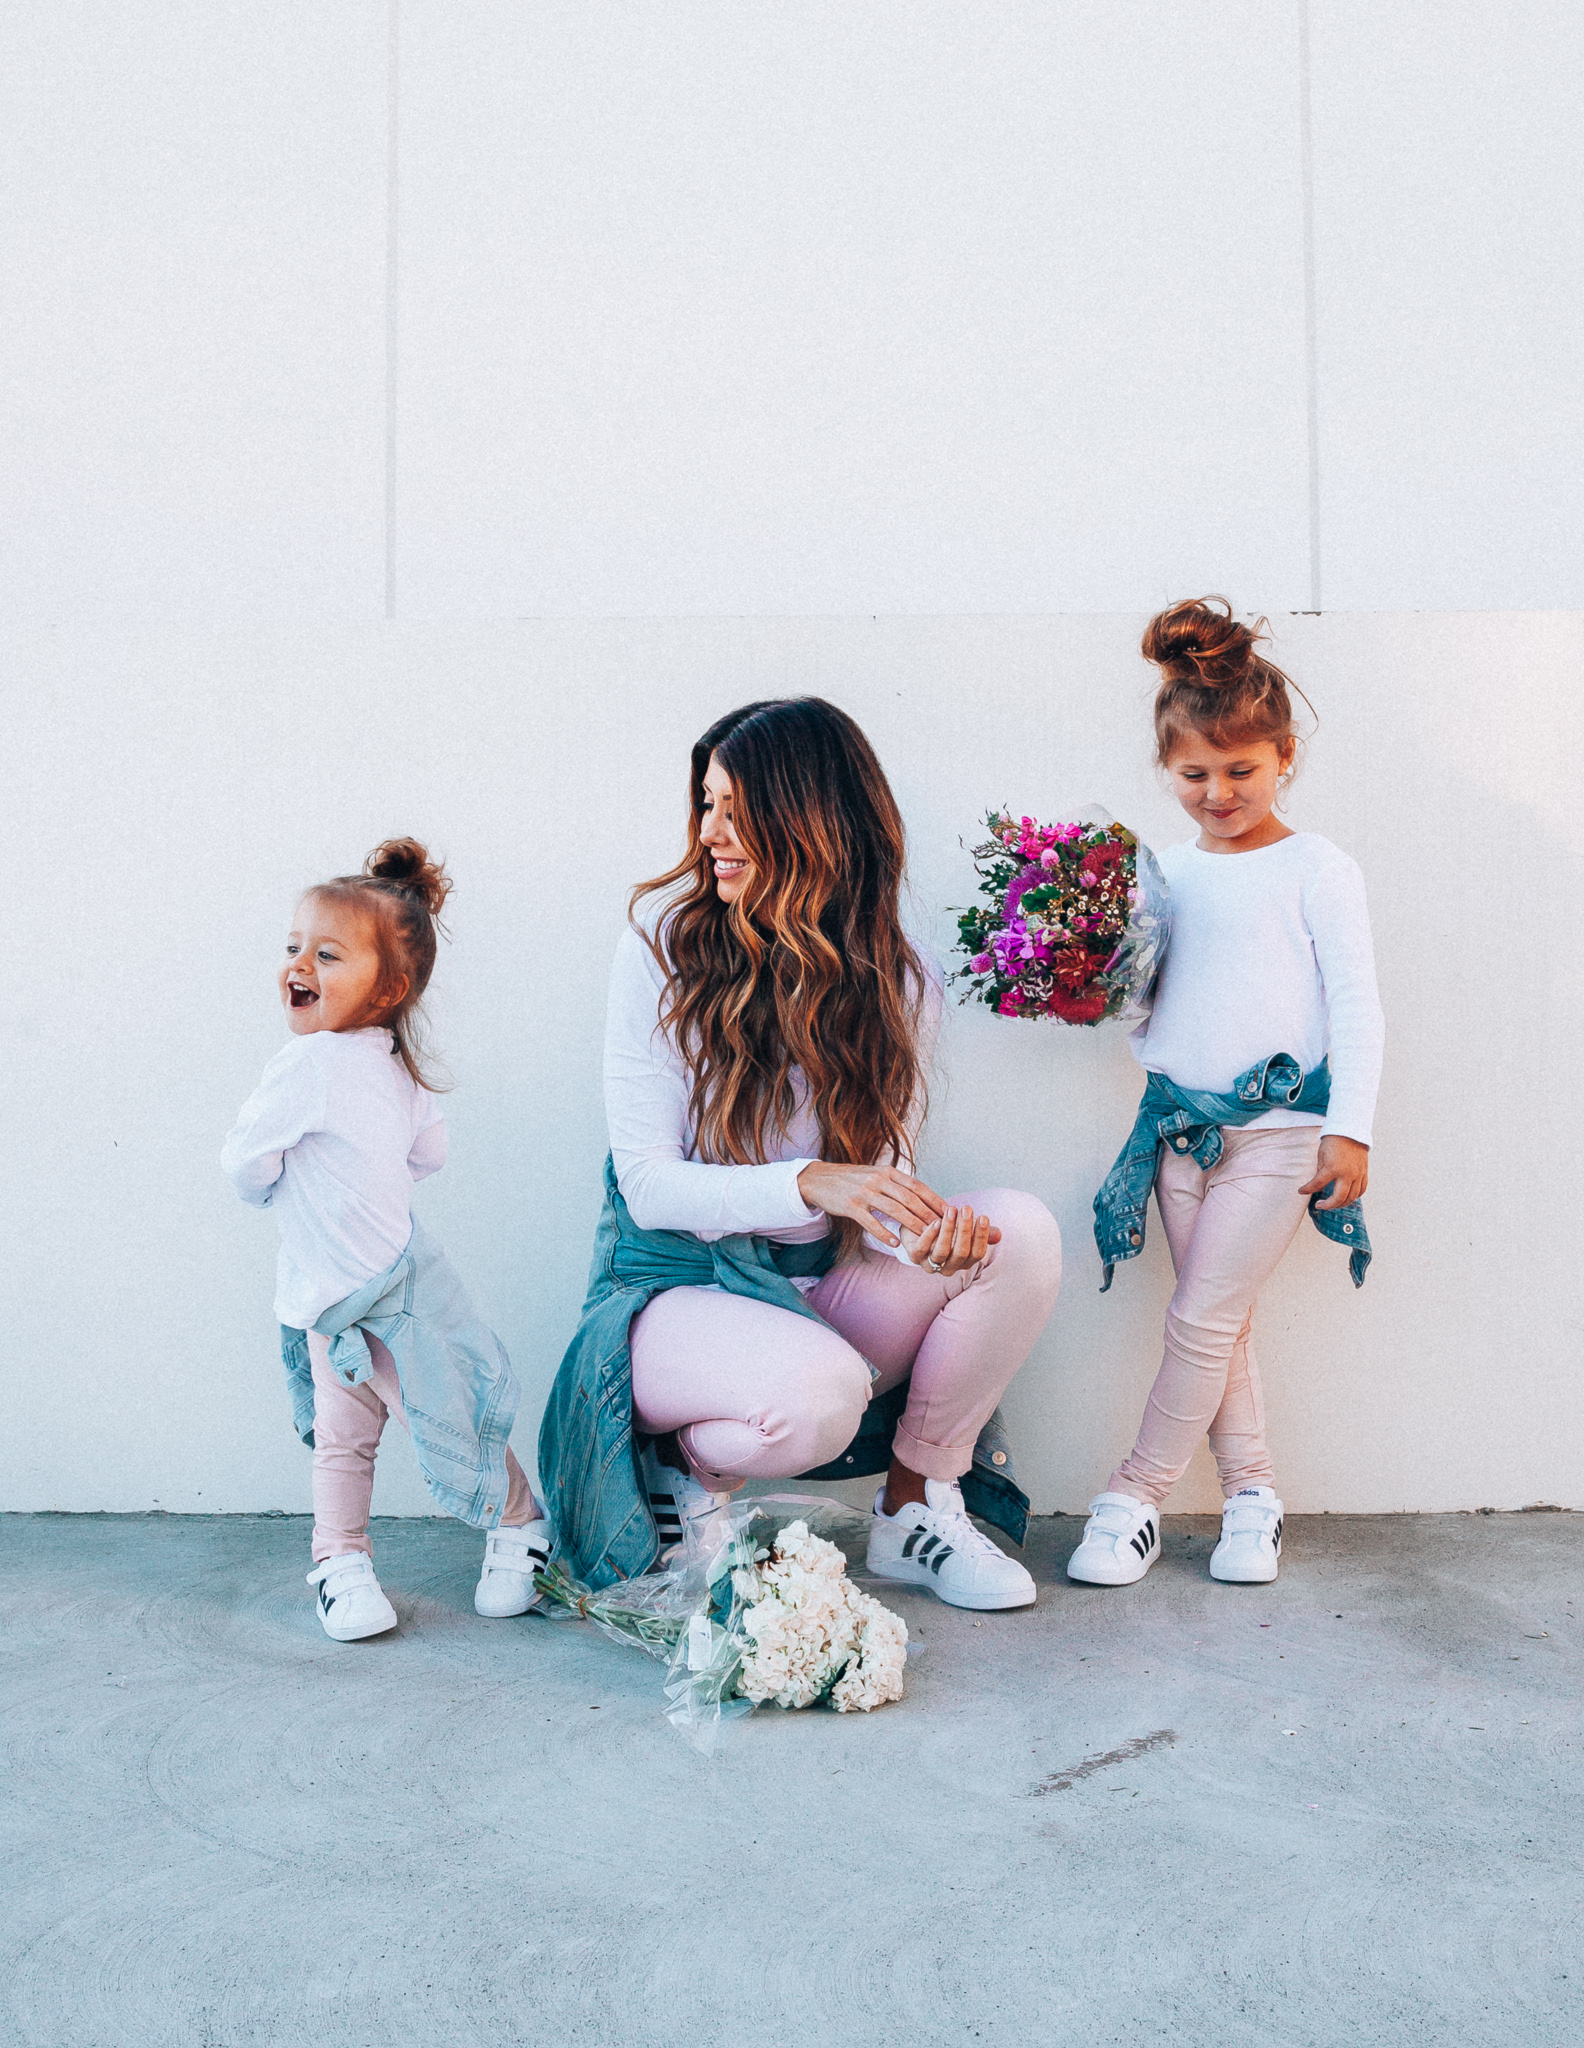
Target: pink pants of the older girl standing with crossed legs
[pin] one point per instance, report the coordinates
(1228, 1232)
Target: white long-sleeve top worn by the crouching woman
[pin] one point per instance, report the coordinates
(653, 1140)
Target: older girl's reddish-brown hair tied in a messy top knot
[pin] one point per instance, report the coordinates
(1214, 681)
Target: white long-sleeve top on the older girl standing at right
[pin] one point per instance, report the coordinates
(1269, 953)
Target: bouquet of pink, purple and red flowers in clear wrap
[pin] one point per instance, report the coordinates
(1075, 927)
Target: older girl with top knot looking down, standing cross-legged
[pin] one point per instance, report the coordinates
(1263, 1058)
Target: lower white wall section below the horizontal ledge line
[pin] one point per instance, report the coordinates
(179, 785)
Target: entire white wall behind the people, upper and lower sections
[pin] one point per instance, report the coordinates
(429, 417)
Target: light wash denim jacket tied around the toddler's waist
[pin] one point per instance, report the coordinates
(458, 1385)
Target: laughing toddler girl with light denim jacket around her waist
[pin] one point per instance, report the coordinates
(374, 1322)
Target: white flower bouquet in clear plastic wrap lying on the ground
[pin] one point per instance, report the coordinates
(757, 1611)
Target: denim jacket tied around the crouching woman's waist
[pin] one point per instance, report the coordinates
(587, 1455)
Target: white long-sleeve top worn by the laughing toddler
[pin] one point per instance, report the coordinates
(331, 1142)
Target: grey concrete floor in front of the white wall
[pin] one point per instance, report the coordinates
(1341, 1809)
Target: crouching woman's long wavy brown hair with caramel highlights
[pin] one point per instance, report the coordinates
(808, 968)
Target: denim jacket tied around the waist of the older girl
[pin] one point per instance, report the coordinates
(1190, 1119)
